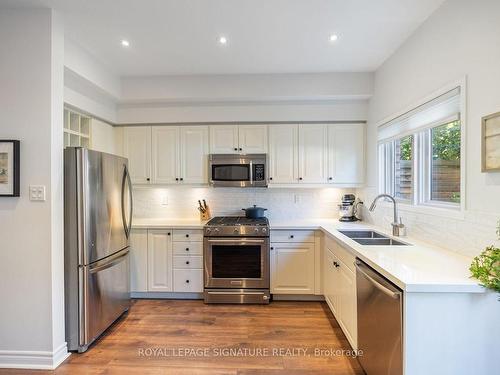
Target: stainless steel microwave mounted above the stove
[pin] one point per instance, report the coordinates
(233, 170)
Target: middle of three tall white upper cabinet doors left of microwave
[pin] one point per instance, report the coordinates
(165, 152)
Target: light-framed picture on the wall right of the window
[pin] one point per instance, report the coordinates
(490, 138)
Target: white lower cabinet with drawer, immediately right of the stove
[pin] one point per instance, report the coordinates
(292, 262)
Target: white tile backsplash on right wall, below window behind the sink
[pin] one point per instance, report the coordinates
(468, 235)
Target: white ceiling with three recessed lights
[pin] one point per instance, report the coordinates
(178, 37)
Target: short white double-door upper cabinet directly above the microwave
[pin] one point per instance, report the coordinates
(235, 139)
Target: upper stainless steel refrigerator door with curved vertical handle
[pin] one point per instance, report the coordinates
(106, 204)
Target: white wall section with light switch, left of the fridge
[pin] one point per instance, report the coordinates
(31, 256)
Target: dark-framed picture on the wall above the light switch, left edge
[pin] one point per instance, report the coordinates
(9, 168)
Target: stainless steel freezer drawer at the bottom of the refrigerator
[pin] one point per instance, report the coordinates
(104, 295)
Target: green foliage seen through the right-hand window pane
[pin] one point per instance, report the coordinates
(446, 141)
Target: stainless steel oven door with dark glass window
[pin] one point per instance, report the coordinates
(237, 263)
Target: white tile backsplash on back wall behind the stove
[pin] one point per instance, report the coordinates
(181, 202)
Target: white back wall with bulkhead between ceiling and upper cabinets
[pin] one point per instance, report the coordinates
(252, 97)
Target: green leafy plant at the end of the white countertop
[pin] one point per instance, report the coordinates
(486, 268)
